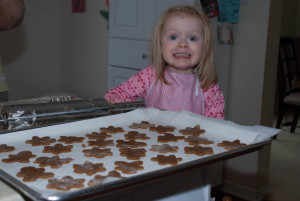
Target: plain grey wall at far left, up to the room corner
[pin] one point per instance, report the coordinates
(30, 53)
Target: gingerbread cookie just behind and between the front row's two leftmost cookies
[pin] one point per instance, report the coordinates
(53, 162)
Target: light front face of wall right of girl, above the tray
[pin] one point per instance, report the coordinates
(248, 63)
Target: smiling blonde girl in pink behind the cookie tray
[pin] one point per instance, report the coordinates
(183, 75)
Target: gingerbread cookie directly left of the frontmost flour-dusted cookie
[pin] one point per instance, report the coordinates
(30, 174)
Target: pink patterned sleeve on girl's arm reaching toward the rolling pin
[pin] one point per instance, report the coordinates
(136, 86)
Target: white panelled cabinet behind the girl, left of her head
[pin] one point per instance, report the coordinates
(131, 23)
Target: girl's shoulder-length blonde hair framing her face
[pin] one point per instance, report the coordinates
(205, 70)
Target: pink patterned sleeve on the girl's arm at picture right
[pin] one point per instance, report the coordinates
(214, 102)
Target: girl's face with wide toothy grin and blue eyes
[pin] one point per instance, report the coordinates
(182, 42)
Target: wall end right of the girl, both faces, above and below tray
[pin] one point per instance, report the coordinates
(252, 92)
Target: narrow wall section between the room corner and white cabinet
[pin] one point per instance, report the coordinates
(84, 46)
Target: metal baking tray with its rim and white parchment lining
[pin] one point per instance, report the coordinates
(215, 130)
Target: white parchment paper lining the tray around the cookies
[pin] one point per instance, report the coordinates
(216, 130)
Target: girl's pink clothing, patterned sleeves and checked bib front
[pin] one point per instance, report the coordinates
(183, 93)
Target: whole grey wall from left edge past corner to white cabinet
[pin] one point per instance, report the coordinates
(55, 50)
